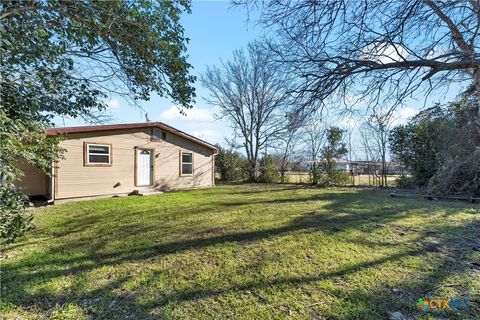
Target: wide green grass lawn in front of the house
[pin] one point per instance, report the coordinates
(244, 251)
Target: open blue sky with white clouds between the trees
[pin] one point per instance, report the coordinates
(216, 29)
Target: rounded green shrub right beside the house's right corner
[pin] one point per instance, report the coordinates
(231, 165)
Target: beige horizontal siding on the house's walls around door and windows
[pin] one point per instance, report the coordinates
(76, 180)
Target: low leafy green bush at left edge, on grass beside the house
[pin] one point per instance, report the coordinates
(14, 221)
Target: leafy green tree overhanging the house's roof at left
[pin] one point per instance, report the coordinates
(64, 58)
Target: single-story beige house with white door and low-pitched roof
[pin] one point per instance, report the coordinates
(121, 158)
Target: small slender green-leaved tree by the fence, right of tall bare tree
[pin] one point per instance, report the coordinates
(333, 150)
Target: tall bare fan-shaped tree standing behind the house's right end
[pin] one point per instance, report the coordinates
(252, 94)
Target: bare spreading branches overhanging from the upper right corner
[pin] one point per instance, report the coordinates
(384, 51)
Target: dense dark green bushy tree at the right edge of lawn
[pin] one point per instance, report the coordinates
(440, 147)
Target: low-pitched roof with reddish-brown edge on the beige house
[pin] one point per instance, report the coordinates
(111, 127)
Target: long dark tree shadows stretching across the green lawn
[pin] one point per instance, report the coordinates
(332, 218)
